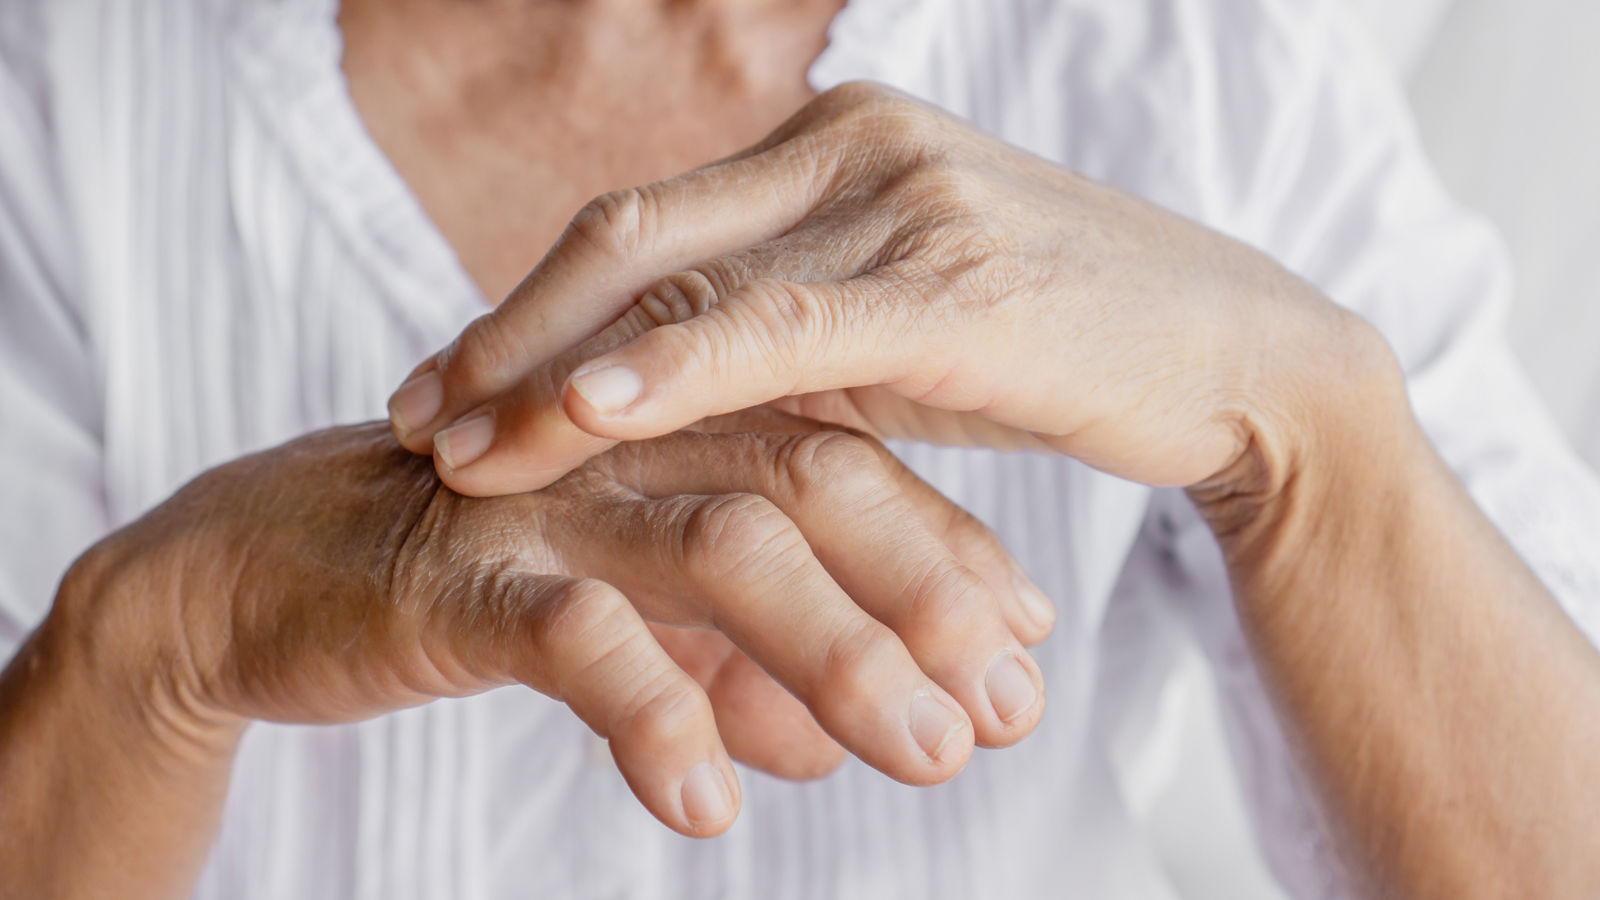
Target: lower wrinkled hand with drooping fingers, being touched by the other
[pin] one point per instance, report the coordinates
(342, 582)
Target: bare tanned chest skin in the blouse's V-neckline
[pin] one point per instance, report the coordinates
(505, 118)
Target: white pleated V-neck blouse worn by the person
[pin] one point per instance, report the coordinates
(202, 254)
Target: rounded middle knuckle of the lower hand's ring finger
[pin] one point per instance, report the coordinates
(735, 532)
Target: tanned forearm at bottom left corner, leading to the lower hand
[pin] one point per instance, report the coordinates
(113, 789)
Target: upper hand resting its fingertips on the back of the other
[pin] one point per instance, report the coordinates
(881, 265)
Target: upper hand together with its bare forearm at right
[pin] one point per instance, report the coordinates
(879, 263)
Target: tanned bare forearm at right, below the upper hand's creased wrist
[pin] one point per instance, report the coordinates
(1446, 707)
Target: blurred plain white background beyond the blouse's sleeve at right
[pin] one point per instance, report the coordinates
(1508, 100)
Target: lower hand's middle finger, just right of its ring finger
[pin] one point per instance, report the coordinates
(868, 536)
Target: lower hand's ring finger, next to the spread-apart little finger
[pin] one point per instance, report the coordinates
(738, 565)
